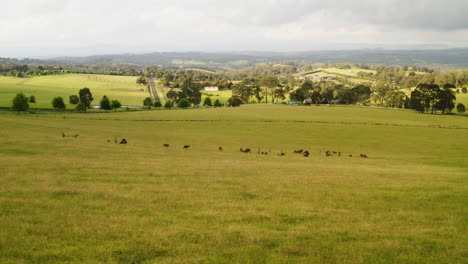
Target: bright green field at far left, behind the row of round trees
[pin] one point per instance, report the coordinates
(45, 88)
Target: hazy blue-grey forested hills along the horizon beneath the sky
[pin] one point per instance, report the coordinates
(446, 58)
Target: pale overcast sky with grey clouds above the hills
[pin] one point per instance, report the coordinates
(44, 28)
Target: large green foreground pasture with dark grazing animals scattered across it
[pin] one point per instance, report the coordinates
(84, 200)
